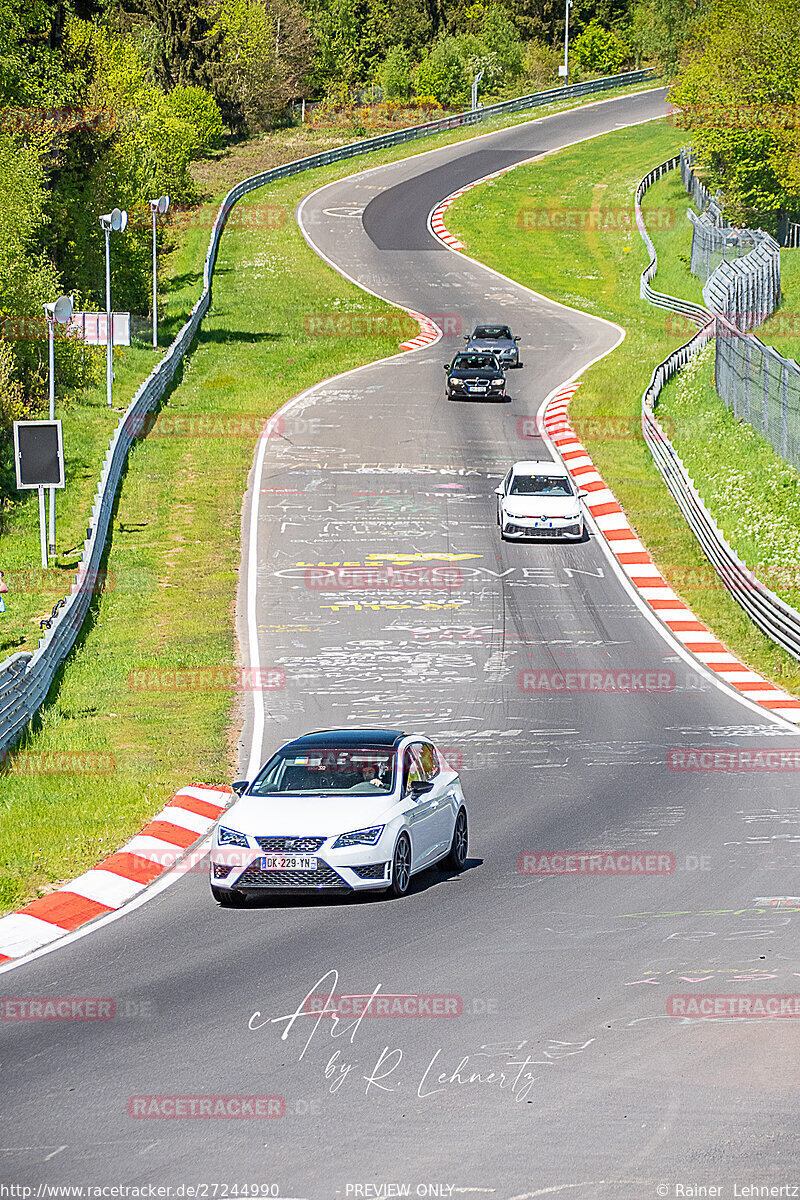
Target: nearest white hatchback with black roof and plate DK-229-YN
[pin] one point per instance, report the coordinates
(341, 811)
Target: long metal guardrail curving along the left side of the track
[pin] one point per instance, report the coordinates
(26, 679)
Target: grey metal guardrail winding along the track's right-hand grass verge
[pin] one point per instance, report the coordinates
(773, 616)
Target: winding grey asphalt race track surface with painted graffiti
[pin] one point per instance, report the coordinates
(560, 1069)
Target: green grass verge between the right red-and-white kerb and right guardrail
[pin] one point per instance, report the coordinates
(597, 269)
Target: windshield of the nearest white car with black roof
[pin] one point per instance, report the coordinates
(369, 771)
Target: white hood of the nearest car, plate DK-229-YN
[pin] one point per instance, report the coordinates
(306, 817)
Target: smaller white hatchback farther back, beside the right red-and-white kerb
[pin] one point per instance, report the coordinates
(540, 500)
